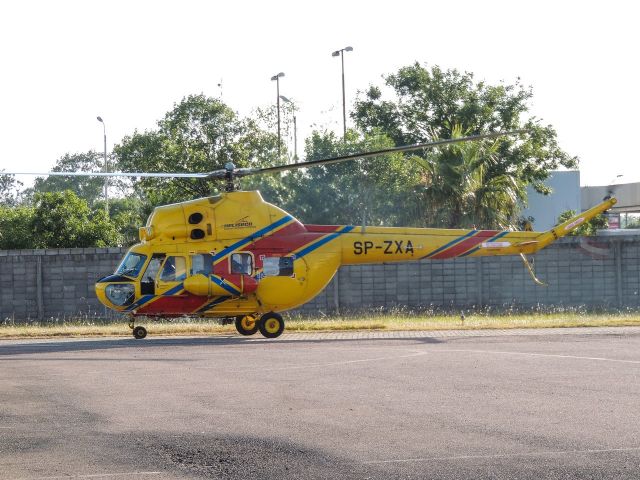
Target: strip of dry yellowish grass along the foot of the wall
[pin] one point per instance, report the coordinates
(400, 321)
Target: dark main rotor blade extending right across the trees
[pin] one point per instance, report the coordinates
(357, 156)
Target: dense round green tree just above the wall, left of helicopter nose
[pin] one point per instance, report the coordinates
(63, 220)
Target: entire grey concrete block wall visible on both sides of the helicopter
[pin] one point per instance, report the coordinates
(596, 272)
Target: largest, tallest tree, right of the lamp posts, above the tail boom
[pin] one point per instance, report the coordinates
(432, 103)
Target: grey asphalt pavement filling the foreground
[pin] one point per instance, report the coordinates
(525, 404)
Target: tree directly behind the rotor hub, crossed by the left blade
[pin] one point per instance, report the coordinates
(199, 134)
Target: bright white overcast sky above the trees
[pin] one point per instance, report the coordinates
(66, 62)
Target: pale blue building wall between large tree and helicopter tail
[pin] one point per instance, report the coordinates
(565, 195)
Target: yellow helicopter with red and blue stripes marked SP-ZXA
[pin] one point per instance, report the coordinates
(237, 257)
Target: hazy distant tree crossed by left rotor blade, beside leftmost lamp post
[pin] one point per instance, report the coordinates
(87, 188)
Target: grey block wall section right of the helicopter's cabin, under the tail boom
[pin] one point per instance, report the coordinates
(597, 272)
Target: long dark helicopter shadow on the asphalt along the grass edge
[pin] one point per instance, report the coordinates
(19, 349)
